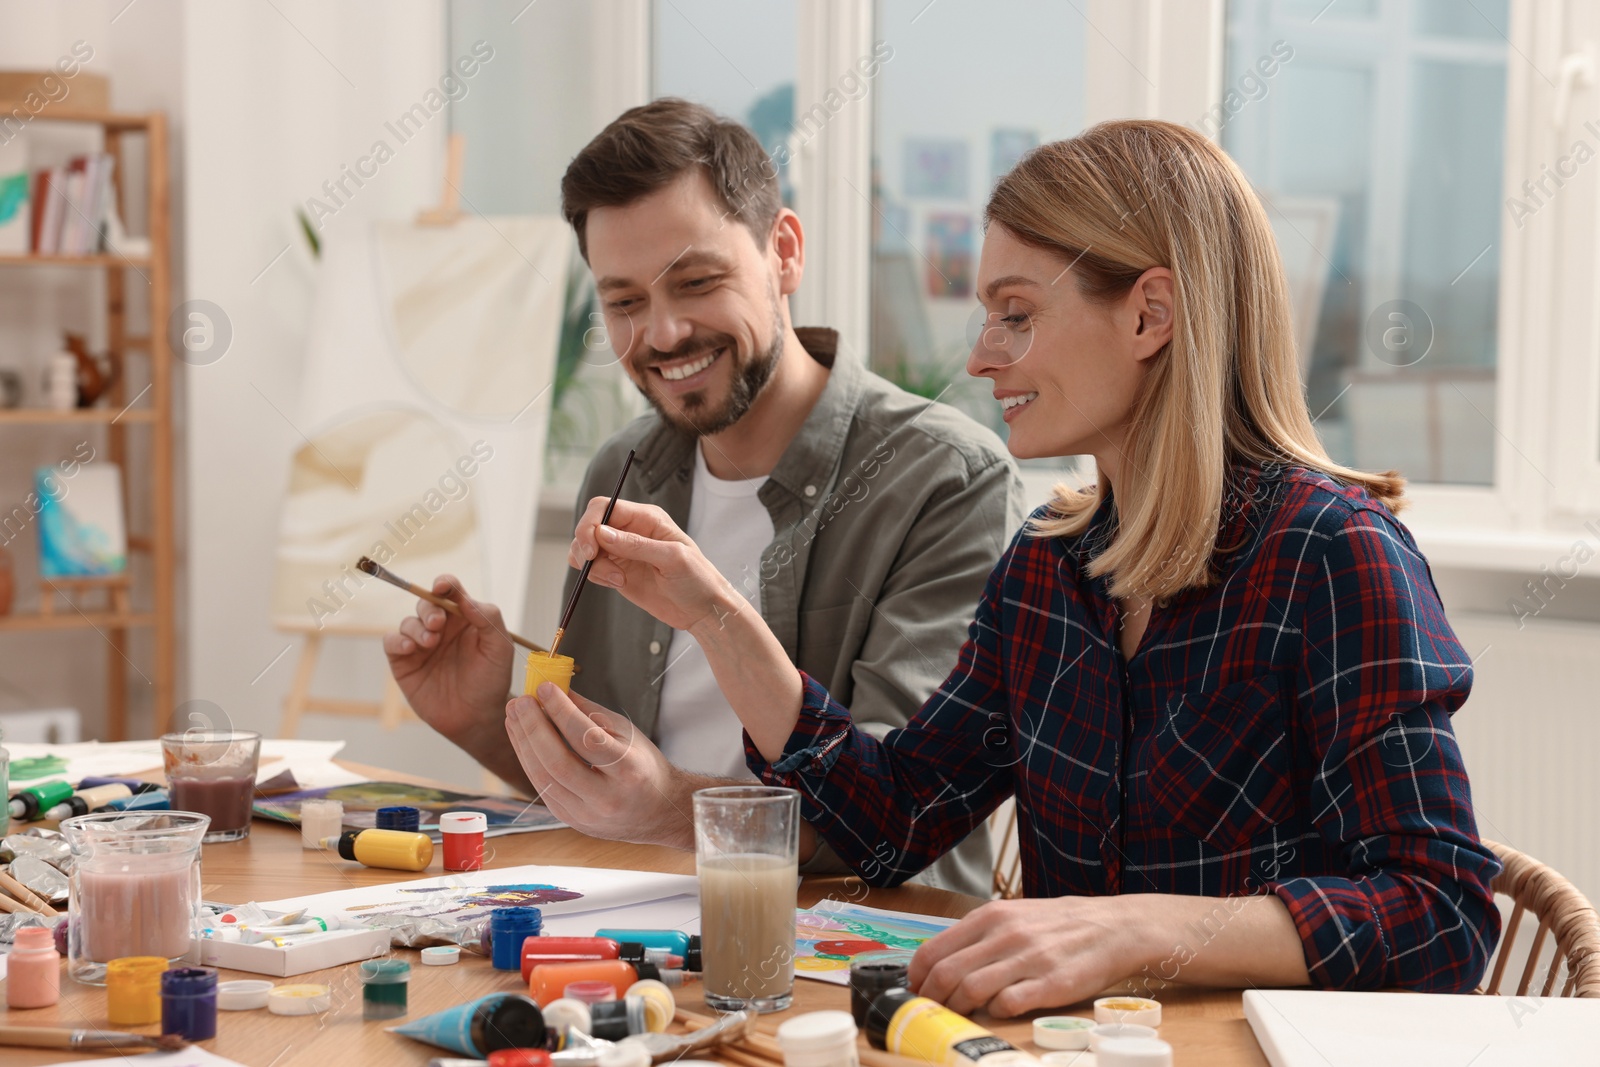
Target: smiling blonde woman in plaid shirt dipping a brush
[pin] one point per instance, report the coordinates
(1222, 673)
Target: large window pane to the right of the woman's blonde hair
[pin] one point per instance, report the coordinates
(1375, 134)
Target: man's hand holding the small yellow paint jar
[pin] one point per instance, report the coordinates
(598, 773)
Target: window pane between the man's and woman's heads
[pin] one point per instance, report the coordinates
(946, 130)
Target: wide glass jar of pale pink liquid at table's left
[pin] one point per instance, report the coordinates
(134, 890)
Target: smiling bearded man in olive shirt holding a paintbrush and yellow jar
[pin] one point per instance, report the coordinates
(860, 521)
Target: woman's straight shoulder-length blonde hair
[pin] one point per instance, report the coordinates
(1114, 202)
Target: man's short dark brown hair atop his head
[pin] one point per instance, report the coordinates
(650, 146)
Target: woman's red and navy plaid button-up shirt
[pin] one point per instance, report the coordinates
(1284, 732)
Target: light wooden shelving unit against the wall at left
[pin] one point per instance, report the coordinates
(150, 410)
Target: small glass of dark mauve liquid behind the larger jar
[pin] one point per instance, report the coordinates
(214, 772)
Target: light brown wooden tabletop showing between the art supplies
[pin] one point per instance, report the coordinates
(1204, 1026)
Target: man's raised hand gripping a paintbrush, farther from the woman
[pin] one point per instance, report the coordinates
(454, 669)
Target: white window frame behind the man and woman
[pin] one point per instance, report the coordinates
(1143, 62)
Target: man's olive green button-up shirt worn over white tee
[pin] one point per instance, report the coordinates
(890, 513)
